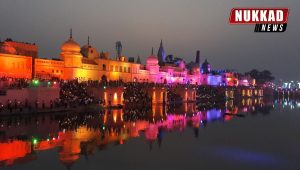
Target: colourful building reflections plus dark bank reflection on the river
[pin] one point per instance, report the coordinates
(76, 135)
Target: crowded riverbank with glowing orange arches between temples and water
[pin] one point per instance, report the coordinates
(69, 96)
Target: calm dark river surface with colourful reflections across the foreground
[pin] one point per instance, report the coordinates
(251, 136)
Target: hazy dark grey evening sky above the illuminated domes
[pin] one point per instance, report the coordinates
(184, 26)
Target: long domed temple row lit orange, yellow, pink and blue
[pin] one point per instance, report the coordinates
(21, 60)
